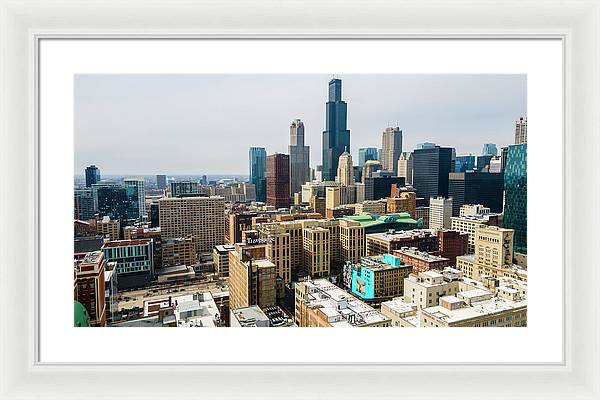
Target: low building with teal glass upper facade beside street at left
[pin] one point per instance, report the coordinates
(135, 261)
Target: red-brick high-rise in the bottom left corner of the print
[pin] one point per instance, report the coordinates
(89, 286)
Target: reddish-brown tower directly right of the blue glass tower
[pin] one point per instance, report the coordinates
(278, 180)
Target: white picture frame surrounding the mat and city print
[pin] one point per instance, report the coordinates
(24, 23)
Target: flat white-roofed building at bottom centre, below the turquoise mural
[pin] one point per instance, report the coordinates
(320, 303)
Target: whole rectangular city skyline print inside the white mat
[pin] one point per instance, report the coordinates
(300, 200)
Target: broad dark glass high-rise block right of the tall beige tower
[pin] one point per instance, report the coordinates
(431, 167)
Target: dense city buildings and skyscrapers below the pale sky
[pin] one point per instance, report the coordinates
(425, 236)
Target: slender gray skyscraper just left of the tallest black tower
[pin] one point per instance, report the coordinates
(299, 157)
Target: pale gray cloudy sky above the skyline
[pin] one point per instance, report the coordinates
(204, 124)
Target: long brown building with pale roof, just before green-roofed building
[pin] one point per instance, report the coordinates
(387, 242)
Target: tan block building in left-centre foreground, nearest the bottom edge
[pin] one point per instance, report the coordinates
(251, 277)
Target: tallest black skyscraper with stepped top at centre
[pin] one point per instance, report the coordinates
(336, 137)
